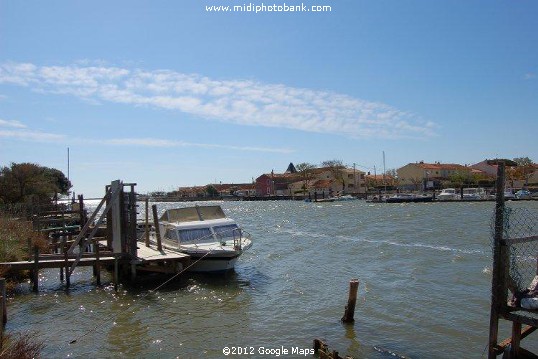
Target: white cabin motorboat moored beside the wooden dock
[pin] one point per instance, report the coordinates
(213, 241)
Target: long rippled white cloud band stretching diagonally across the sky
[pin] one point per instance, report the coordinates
(243, 102)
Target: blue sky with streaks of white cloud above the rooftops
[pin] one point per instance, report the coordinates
(176, 93)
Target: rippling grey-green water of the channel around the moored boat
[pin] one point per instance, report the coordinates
(424, 271)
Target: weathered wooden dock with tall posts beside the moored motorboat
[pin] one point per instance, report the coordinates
(74, 239)
